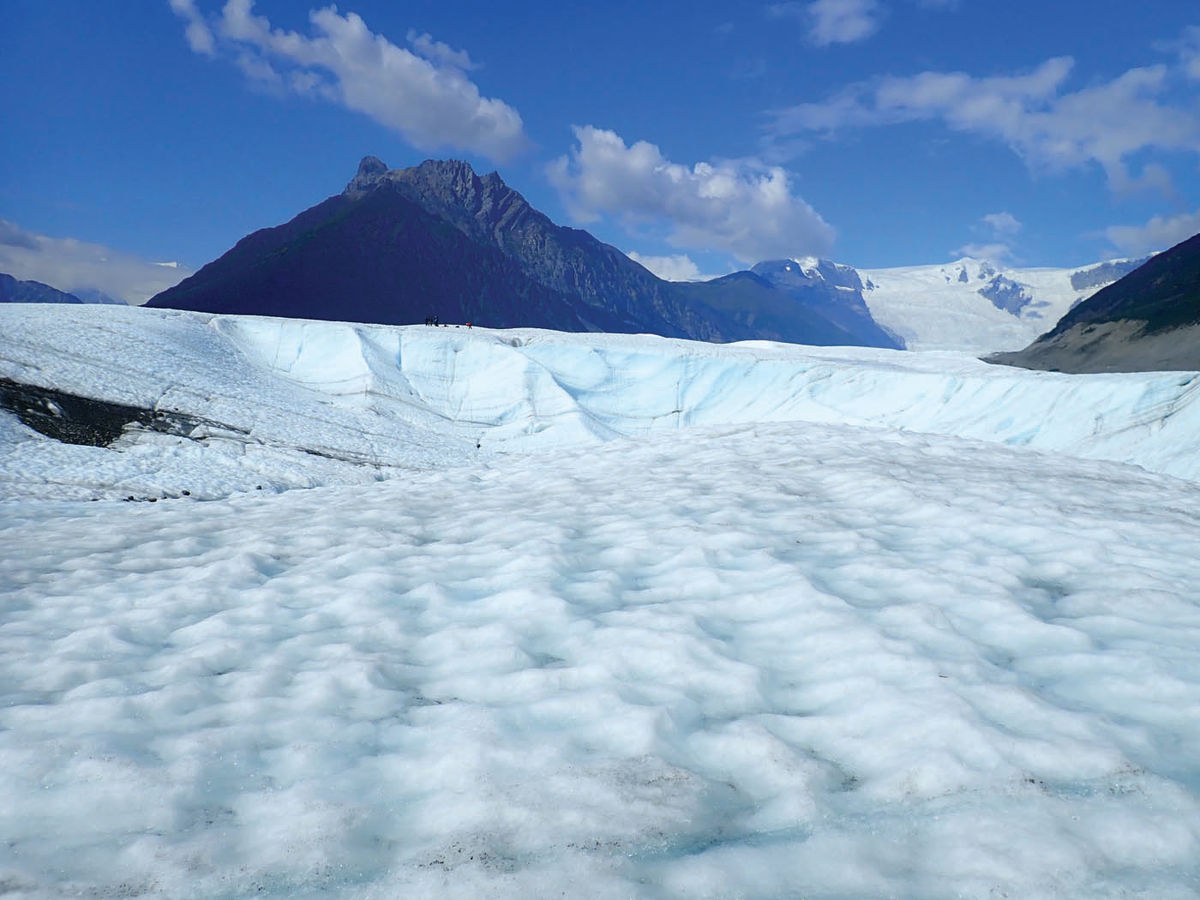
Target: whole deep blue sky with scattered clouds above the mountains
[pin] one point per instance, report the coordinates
(878, 133)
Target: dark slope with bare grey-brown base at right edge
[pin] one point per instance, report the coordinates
(1148, 321)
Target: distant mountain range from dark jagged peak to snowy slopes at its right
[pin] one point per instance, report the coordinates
(400, 245)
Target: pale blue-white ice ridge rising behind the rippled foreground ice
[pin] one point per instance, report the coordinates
(302, 404)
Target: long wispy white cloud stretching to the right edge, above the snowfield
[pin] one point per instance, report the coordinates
(1053, 130)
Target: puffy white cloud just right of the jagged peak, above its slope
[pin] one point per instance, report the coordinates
(740, 207)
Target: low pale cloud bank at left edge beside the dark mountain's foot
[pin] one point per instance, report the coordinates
(70, 266)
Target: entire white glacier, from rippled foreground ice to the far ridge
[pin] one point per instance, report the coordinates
(692, 621)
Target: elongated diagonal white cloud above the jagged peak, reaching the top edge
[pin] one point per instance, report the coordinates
(423, 94)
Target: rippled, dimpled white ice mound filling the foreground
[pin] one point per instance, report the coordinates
(791, 659)
